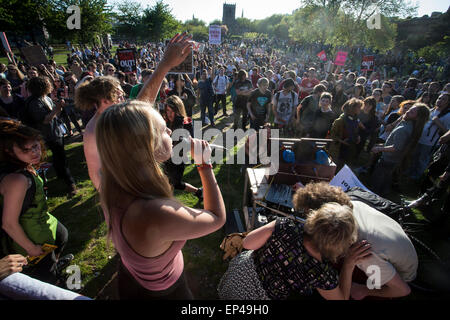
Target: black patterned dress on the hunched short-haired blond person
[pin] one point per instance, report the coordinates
(279, 269)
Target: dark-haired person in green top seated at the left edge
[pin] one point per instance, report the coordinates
(26, 222)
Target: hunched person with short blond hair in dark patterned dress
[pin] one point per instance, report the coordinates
(286, 258)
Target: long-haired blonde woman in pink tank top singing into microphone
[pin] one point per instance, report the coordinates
(146, 224)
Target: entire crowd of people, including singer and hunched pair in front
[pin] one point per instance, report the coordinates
(399, 122)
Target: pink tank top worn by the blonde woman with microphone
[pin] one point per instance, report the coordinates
(154, 274)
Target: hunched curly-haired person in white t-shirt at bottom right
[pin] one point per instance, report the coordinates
(391, 249)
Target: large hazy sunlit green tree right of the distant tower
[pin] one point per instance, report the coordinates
(344, 22)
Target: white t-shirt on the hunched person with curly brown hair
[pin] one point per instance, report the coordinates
(392, 250)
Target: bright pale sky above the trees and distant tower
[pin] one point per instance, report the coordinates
(209, 10)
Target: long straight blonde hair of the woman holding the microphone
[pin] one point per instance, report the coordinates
(128, 137)
